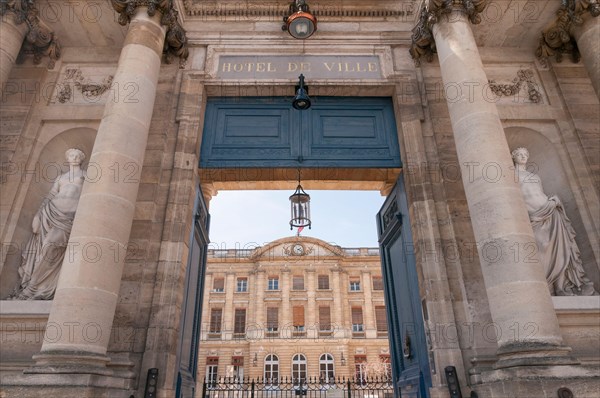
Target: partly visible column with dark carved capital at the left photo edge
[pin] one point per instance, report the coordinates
(19, 21)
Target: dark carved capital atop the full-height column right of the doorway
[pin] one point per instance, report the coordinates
(423, 44)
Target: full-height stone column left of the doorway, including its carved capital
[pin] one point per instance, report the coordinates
(88, 288)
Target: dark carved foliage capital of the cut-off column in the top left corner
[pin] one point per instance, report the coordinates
(40, 39)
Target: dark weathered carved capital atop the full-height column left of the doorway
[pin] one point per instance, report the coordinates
(176, 38)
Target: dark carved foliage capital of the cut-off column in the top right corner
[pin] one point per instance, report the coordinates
(557, 38)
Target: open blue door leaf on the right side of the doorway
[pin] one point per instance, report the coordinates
(408, 346)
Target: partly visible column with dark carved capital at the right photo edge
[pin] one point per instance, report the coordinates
(575, 31)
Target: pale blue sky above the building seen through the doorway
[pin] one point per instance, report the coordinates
(245, 219)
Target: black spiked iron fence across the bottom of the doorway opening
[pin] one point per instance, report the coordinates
(310, 388)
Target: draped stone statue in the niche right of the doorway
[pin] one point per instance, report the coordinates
(554, 234)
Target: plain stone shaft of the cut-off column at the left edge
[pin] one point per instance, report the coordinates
(11, 40)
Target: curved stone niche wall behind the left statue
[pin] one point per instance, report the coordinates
(49, 164)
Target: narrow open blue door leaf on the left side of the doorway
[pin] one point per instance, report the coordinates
(189, 335)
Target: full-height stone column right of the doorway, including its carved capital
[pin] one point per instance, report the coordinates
(500, 221)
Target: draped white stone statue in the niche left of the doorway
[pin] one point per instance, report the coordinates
(51, 226)
